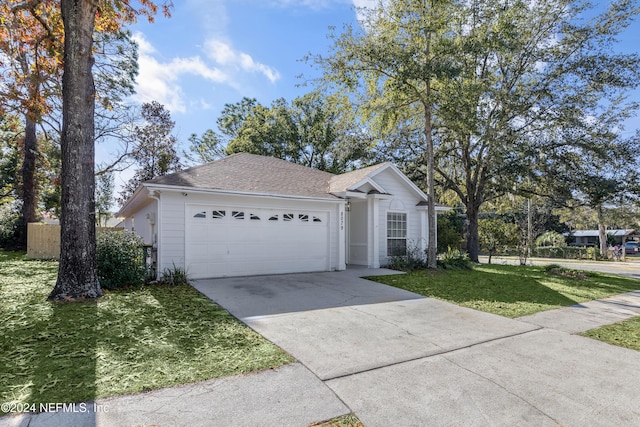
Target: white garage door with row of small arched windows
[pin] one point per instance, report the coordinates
(236, 241)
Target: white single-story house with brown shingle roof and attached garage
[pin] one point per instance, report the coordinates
(247, 215)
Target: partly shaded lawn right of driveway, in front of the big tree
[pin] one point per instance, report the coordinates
(510, 291)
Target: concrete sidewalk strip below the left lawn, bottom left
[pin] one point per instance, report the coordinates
(286, 396)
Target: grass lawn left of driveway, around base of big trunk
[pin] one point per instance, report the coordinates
(128, 341)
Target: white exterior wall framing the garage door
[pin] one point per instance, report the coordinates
(173, 219)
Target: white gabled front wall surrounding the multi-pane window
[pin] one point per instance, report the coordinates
(404, 200)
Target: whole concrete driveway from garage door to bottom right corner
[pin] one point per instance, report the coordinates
(396, 358)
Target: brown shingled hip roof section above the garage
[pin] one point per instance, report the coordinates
(255, 174)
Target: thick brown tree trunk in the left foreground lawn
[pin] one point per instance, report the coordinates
(77, 274)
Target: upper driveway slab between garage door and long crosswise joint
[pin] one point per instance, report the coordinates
(339, 324)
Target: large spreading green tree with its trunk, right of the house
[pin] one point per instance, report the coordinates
(508, 86)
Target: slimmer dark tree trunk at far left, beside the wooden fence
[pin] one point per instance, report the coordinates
(29, 189)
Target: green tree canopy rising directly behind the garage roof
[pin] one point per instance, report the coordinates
(312, 130)
